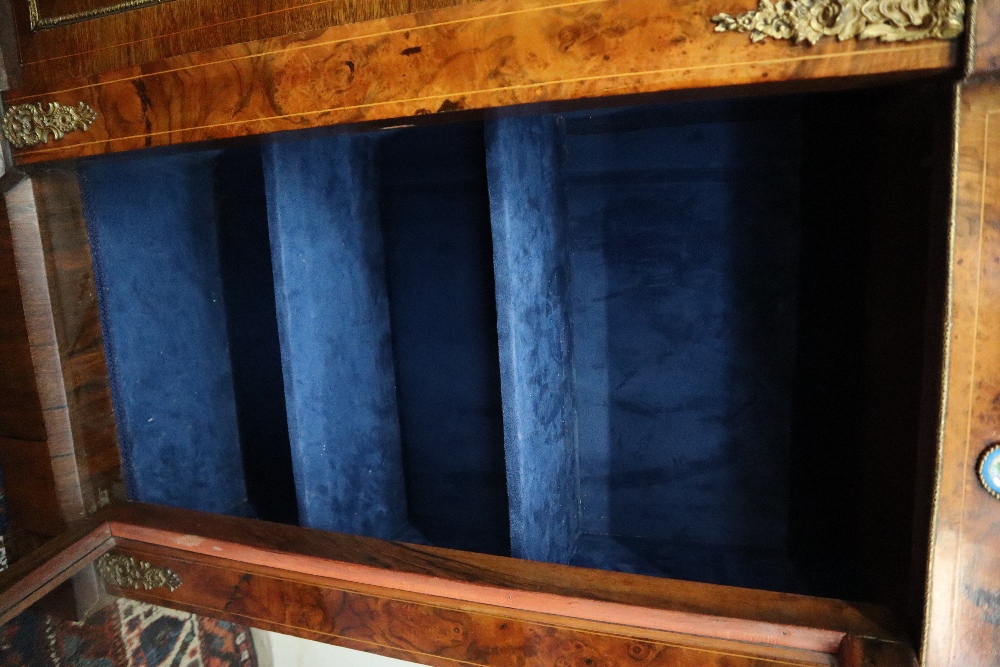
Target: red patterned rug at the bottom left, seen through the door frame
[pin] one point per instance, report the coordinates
(126, 634)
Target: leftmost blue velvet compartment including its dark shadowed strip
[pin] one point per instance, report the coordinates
(180, 254)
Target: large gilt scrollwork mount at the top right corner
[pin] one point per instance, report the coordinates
(887, 20)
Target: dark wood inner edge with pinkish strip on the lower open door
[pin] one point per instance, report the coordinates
(638, 601)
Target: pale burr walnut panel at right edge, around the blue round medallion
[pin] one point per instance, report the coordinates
(963, 612)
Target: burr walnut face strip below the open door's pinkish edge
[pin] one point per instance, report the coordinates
(434, 631)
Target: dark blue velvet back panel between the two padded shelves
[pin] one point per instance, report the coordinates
(435, 213)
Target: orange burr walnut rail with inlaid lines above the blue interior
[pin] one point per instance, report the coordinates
(488, 54)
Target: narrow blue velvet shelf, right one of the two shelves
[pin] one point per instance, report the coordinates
(535, 357)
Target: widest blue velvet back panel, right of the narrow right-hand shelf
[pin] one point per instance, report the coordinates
(684, 255)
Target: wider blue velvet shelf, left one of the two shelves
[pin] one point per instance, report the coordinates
(333, 316)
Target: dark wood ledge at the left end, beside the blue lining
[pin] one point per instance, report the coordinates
(52, 255)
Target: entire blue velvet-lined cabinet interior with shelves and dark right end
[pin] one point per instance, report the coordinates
(693, 339)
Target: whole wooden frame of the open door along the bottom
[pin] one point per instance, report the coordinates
(397, 599)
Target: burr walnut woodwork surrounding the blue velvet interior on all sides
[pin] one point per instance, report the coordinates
(417, 65)
